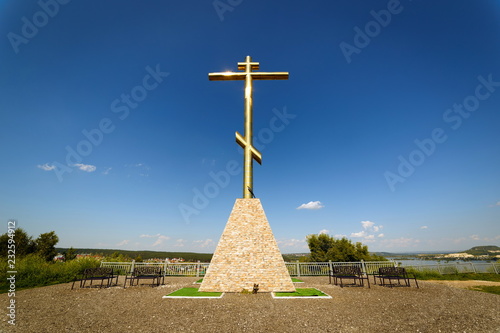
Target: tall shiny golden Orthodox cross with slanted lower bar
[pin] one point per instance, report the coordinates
(246, 142)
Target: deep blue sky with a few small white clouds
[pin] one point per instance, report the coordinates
(386, 132)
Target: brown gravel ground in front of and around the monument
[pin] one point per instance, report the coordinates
(432, 308)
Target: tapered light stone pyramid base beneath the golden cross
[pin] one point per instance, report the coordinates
(247, 253)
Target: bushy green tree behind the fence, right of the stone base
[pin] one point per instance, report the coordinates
(324, 247)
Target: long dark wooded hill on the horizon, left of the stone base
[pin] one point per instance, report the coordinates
(188, 256)
